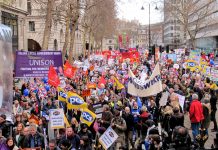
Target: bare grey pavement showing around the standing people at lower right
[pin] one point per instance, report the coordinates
(212, 135)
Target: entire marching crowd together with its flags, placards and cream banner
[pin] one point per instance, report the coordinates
(113, 102)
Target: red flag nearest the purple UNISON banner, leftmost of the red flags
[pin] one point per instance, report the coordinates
(53, 78)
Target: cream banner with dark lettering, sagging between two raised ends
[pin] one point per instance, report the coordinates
(146, 88)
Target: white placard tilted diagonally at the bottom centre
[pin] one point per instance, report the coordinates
(108, 138)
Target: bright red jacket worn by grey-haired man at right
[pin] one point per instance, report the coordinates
(196, 112)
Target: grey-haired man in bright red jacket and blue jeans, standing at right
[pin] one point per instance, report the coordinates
(196, 115)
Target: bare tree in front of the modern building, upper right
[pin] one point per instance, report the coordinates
(192, 15)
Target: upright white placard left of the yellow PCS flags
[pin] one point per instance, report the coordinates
(56, 117)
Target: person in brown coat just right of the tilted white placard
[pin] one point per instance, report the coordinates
(119, 126)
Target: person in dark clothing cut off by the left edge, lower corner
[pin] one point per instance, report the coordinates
(4, 127)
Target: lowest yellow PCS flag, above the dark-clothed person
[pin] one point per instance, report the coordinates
(87, 116)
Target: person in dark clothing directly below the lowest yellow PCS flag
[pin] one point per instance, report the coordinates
(85, 137)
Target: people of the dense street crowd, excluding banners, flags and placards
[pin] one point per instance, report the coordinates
(141, 123)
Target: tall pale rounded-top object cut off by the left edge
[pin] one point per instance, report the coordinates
(6, 70)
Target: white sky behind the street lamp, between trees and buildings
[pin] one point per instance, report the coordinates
(131, 10)
